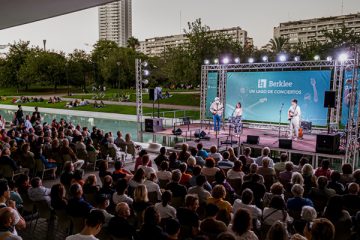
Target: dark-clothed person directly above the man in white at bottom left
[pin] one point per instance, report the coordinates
(77, 206)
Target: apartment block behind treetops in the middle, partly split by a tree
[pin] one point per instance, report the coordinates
(157, 46)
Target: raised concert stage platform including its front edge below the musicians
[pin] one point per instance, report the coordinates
(267, 138)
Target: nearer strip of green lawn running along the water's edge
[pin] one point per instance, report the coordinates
(131, 110)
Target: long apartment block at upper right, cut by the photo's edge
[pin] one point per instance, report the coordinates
(313, 29)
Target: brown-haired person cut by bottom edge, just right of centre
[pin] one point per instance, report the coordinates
(242, 224)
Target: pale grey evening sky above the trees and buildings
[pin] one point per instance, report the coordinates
(153, 18)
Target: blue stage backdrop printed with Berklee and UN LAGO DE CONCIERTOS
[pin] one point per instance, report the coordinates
(263, 93)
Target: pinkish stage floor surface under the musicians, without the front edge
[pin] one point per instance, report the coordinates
(267, 137)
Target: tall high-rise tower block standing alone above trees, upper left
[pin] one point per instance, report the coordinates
(115, 22)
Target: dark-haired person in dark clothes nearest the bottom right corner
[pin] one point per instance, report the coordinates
(339, 217)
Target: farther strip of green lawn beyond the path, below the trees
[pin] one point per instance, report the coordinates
(186, 99)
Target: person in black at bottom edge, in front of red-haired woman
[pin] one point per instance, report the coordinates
(211, 227)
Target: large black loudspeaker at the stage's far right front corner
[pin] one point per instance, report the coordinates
(328, 143)
